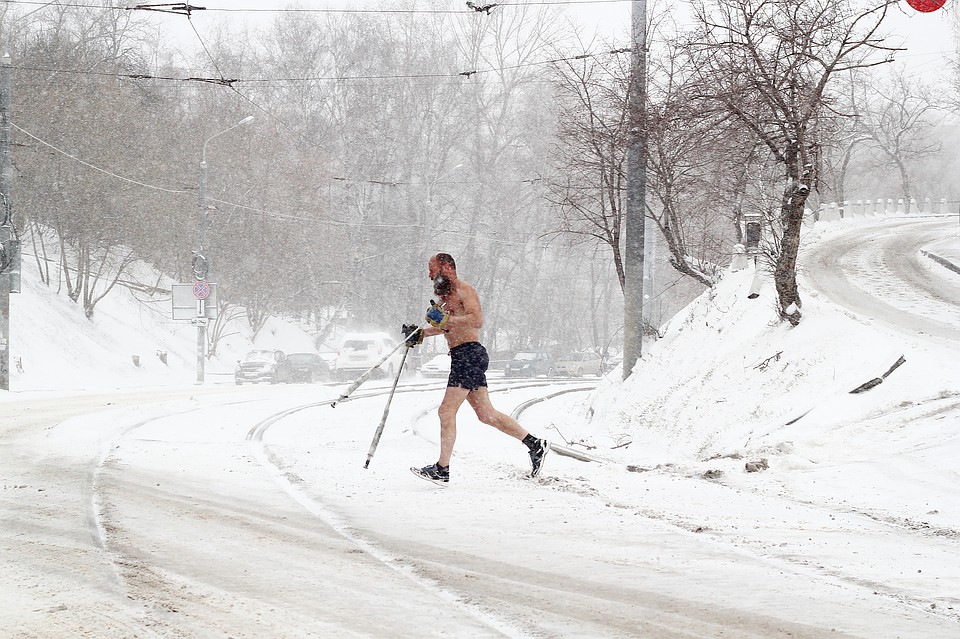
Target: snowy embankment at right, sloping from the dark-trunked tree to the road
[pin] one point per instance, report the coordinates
(731, 390)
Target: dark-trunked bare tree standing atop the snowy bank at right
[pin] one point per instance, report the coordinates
(770, 64)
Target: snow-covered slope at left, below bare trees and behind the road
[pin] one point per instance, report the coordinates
(54, 347)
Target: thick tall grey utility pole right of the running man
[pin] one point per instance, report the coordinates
(636, 196)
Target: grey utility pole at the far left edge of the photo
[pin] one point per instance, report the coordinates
(9, 249)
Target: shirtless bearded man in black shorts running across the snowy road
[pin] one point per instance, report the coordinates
(459, 320)
